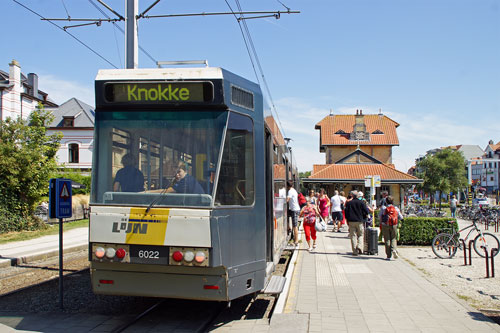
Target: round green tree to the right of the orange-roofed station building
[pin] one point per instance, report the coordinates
(443, 172)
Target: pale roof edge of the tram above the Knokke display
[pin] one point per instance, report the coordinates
(160, 73)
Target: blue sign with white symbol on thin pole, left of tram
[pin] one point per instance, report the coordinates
(60, 206)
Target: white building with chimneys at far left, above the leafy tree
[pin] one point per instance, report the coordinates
(19, 95)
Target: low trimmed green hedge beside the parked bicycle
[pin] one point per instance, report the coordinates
(421, 230)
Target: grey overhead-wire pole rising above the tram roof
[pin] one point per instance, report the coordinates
(131, 53)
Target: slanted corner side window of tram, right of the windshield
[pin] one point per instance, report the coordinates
(236, 179)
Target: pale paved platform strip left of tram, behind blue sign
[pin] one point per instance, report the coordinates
(43, 247)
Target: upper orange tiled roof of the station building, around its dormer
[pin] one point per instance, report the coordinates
(331, 124)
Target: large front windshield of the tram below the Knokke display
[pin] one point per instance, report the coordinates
(157, 157)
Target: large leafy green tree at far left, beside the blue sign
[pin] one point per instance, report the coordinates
(27, 159)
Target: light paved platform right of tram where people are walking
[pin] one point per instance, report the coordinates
(333, 291)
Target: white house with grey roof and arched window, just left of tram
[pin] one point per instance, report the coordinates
(75, 120)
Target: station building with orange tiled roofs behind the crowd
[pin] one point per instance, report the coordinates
(355, 147)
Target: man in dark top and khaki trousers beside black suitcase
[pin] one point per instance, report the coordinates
(356, 212)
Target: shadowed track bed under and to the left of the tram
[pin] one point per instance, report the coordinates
(124, 314)
